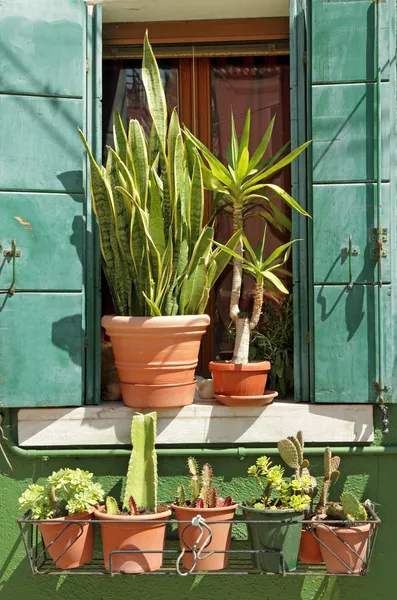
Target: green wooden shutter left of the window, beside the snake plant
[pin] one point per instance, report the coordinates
(47, 89)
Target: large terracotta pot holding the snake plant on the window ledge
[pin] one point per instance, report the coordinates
(156, 357)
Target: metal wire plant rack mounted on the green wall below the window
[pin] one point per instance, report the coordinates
(240, 555)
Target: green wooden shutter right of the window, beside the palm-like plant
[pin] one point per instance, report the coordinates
(345, 318)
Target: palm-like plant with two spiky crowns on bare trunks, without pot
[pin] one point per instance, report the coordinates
(240, 188)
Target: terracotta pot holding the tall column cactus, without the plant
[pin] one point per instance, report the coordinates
(133, 534)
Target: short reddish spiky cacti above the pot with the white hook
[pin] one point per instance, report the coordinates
(202, 494)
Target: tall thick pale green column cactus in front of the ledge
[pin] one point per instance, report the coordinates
(141, 482)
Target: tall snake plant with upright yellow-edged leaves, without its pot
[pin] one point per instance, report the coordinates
(158, 254)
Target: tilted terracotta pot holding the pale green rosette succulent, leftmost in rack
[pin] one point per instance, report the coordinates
(75, 542)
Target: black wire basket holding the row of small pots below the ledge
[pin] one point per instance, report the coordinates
(241, 558)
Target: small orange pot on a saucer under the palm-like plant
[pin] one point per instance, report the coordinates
(240, 380)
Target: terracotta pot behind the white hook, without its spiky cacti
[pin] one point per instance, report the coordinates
(221, 535)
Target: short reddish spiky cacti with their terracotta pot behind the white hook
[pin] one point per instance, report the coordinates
(204, 500)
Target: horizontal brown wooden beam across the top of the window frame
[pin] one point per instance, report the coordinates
(180, 32)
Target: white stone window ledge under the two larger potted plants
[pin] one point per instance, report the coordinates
(204, 422)
